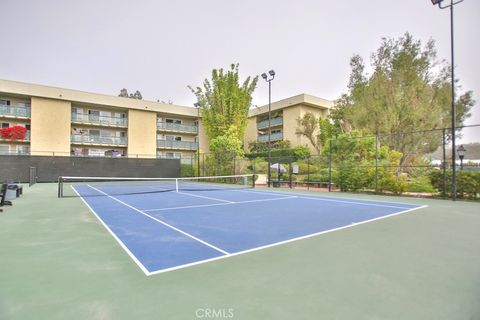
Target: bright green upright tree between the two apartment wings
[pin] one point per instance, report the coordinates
(224, 105)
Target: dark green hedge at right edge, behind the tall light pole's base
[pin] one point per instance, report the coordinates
(468, 183)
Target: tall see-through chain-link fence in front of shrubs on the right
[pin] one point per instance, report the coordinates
(402, 163)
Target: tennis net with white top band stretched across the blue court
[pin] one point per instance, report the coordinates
(111, 186)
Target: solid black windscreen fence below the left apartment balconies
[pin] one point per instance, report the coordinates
(18, 168)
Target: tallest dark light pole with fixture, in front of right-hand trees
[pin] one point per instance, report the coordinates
(453, 112)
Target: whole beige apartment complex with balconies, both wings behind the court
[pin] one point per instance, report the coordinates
(65, 122)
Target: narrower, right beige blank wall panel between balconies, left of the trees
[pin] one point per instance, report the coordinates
(142, 134)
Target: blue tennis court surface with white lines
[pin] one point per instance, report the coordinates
(169, 230)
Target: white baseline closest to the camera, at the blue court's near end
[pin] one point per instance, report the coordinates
(282, 242)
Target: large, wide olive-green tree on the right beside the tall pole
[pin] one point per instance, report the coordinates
(408, 90)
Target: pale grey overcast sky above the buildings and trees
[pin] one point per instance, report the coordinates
(160, 47)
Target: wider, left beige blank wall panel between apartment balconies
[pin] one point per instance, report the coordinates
(50, 127)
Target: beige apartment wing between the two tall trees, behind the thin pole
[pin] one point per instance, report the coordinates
(283, 120)
